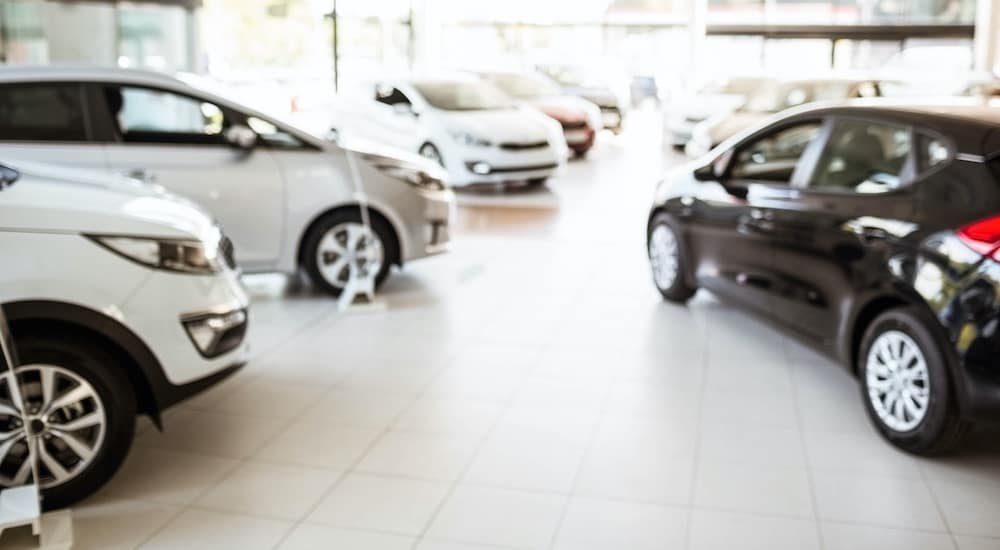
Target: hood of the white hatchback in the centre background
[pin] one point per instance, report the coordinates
(501, 126)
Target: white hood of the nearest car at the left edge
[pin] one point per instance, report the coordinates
(63, 200)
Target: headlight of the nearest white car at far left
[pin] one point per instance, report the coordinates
(177, 255)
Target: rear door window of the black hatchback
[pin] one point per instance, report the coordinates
(863, 157)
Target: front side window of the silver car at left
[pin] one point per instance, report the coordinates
(147, 115)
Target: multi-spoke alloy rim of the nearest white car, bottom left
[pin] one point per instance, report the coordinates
(66, 415)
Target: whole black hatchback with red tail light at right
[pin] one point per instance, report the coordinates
(872, 232)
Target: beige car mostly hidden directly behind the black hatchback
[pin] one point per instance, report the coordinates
(773, 98)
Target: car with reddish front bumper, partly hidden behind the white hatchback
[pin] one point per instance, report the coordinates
(579, 118)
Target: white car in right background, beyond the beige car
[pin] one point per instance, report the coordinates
(715, 99)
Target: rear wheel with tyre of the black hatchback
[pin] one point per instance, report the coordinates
(886, 349)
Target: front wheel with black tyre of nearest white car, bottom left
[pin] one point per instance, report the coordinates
(108, 396)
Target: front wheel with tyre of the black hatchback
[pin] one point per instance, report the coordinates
(675, 287)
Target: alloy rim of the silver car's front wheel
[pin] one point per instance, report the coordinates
(349, 250)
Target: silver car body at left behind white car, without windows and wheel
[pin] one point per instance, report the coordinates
(266, 198)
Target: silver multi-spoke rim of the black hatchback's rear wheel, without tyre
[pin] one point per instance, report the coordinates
(898, 381)
